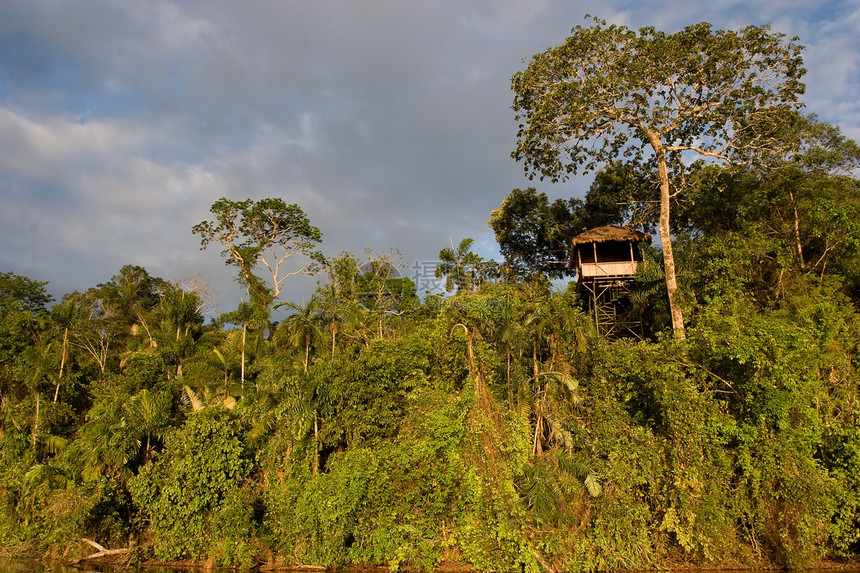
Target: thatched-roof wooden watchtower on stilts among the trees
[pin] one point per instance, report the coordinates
(605, 260)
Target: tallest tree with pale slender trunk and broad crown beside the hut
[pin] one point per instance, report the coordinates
(609, 92)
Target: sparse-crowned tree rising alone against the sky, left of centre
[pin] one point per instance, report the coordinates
(267, 232)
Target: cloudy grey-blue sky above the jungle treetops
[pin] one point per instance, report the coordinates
(388, 122)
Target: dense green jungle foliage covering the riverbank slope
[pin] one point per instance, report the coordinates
(491, 427)
